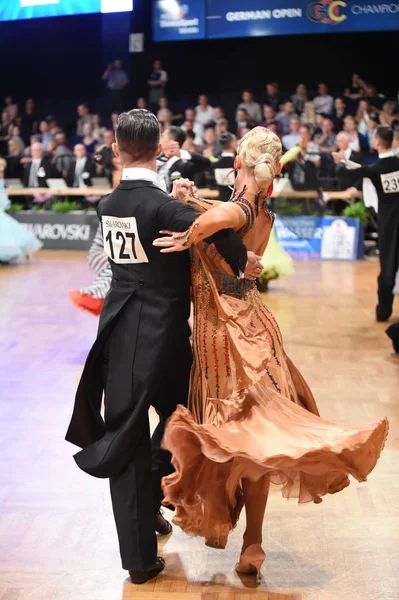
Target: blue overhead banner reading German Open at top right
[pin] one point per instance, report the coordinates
(201, 19)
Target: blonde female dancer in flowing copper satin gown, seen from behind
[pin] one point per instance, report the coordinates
(252, 418)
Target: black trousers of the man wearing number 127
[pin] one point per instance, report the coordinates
(136, 492)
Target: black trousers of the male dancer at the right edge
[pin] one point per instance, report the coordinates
(388, 244)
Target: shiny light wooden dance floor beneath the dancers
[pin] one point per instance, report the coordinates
(57, 537)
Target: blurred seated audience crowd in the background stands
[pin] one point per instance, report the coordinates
(202, 133)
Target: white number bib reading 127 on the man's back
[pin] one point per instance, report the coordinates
(121, 240)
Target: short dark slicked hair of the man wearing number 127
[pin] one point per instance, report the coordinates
(137, 134)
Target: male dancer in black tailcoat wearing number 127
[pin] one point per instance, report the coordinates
(142, 353)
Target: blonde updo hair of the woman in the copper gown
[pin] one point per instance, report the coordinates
(260, 149)
